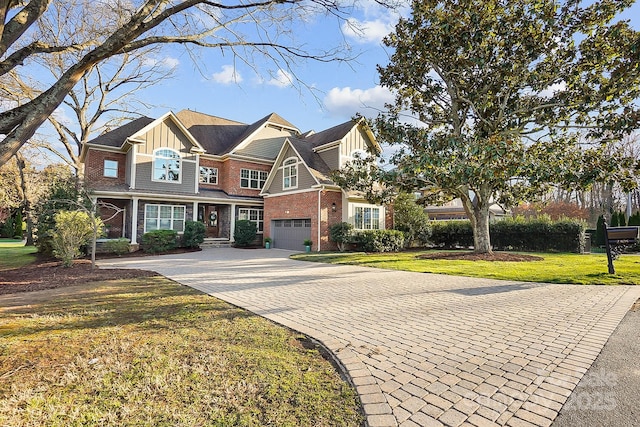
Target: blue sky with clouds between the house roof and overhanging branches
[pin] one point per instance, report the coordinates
(330, 93)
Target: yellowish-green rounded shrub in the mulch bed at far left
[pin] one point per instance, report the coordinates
(73, 230)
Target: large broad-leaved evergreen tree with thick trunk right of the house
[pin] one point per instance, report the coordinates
(493, 98)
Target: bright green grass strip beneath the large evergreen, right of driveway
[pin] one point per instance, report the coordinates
(586, 269)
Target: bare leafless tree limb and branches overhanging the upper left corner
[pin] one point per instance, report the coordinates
(244, 29)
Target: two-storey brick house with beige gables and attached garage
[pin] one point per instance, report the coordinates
(154, 174)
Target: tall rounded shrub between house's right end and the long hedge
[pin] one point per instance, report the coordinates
(412, 220)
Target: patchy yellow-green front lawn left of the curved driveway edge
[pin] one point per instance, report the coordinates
(149, 352)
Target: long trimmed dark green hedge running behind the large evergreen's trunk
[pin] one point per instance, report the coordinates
(516, 234)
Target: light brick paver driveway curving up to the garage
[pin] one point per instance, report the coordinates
(422, 349)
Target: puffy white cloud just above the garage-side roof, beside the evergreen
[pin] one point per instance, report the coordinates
(345, 102)
